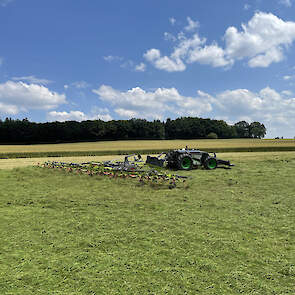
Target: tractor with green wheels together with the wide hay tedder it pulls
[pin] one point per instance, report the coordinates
(134, 166)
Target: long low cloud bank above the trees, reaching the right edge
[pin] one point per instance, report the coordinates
(276, 110)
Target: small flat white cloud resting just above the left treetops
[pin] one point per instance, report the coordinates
(77, 116)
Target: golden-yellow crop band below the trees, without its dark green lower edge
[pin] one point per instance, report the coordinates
(109, 146)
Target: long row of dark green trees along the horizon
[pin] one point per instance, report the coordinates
(23, 131)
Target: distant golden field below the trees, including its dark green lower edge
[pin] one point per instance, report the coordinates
(144, 146)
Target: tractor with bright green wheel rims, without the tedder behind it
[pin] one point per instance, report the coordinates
(187, 159)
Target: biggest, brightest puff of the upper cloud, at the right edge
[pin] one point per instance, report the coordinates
(262, 40)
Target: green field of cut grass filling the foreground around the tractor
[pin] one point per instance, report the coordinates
(225, 232)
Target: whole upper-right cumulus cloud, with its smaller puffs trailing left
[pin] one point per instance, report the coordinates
(262, 41)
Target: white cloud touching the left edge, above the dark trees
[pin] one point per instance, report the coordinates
(19, 96)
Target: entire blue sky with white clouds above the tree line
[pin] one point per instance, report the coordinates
(78, 60)
